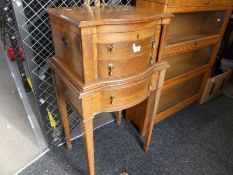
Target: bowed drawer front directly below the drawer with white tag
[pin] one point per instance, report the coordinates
(124, 67)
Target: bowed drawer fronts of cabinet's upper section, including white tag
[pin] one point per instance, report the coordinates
(128, 53)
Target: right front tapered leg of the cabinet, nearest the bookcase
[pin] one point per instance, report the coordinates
(151, 112)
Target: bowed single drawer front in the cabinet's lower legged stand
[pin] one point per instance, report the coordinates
(125, 96)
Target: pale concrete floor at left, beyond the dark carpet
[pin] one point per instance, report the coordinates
(18, 145)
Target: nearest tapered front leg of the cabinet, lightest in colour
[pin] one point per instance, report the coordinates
(89, 141)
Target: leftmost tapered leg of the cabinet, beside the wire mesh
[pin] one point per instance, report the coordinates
(63, 112)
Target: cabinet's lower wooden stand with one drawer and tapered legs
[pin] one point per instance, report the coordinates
(127, 93)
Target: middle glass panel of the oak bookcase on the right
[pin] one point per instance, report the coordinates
(189, 61)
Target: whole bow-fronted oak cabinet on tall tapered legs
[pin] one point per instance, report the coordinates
(105, 61)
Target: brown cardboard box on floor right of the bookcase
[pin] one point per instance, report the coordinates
(215, 85)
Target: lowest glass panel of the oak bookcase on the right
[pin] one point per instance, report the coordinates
(180, 92)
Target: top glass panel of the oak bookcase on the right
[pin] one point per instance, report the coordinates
(190, 26)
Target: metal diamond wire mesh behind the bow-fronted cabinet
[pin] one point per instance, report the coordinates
(37, 40)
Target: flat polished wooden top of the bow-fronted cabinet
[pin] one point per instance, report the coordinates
(91, 16)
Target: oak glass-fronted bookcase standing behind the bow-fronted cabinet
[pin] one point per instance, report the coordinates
(189, 45)
